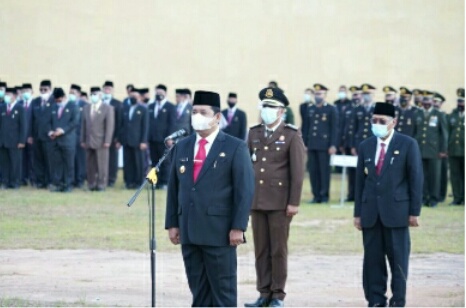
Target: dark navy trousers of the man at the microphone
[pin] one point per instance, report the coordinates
(212, 275)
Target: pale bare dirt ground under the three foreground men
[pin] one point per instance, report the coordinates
(122, 278)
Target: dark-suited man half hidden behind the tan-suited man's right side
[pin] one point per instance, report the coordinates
(117, 111)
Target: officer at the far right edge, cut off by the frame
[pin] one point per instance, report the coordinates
(456, 149)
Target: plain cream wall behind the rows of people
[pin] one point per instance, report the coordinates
(235, 45)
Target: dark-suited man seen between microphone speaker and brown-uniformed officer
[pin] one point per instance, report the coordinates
(236, 118)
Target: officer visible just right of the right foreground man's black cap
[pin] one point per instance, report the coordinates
(406, 113)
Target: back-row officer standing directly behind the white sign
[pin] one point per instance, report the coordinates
(346, 135)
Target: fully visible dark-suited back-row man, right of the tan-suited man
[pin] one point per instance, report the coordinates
(133, 138)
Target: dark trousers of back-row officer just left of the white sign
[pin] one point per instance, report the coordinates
(319, 172)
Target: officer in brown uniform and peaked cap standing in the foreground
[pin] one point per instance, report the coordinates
(278, 154)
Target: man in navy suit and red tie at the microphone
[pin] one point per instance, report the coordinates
(210, 192)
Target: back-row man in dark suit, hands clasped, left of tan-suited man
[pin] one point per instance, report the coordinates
(64, 121)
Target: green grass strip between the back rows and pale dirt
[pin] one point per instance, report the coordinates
(38, 219)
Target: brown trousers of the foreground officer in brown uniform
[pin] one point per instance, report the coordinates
(270, 232)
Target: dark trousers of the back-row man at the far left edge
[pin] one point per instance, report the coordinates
(10, 163)
